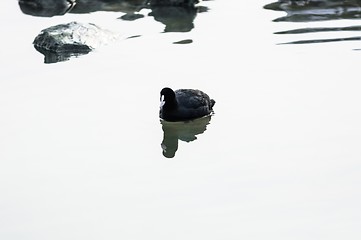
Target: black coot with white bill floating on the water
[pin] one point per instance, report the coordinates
(184, 104)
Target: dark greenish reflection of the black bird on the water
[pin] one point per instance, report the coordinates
(184, 131)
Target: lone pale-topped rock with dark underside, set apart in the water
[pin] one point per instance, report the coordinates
(72, 39)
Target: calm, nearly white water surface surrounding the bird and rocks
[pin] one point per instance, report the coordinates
(82, 146)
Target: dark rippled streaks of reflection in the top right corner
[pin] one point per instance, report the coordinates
(317, 10)
